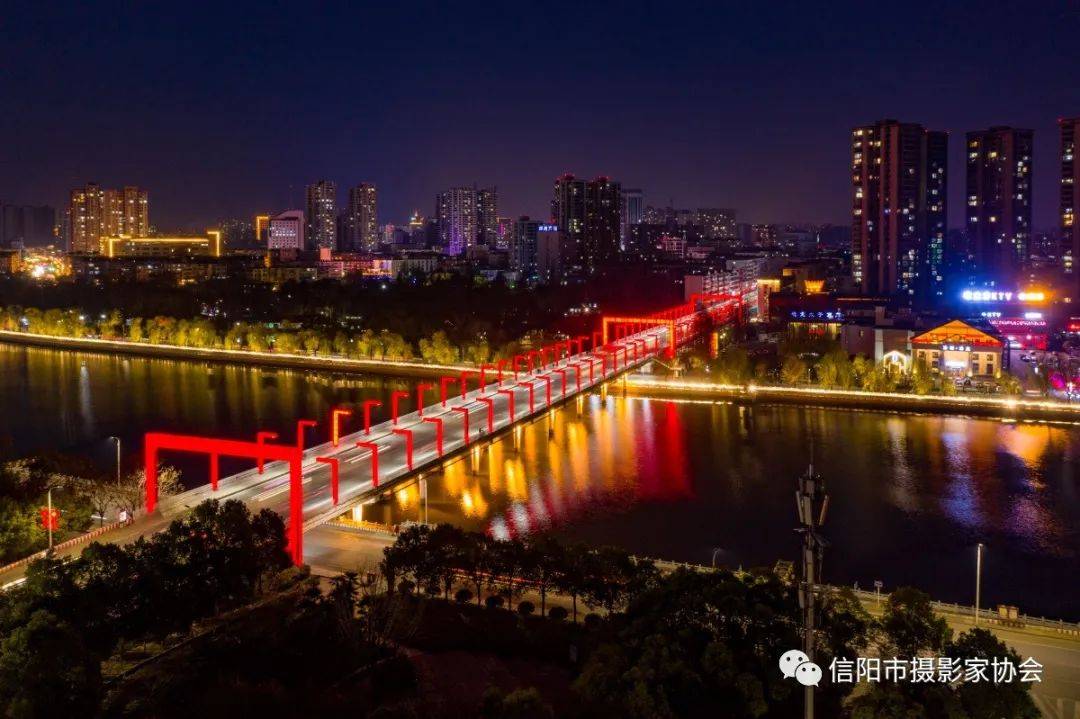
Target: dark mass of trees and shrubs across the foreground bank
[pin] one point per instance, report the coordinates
(207, 619)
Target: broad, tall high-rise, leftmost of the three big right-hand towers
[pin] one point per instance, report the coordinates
(898, 234)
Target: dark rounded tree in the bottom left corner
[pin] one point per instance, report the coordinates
(46, 671)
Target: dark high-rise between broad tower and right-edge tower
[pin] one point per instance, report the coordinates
(998, 214)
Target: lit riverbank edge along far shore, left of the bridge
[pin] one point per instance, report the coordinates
(233, 357)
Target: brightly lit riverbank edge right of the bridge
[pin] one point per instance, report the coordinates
(1015, 409)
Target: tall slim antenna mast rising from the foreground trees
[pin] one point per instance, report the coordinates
(813, 504)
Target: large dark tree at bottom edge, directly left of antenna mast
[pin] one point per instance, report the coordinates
(695, 643)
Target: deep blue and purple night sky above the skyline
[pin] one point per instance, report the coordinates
(227, 108)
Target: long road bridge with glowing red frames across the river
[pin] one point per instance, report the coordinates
(438, 420)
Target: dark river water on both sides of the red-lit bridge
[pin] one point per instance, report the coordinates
(911, 495)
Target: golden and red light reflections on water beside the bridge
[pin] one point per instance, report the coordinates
(569, 463)
